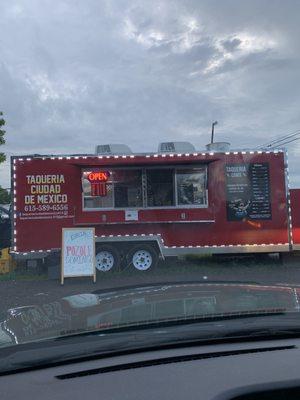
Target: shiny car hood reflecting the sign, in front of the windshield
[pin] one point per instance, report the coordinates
(132, 306)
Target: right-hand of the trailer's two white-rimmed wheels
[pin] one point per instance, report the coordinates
(143, 257)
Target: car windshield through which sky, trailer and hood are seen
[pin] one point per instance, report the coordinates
(149, 169)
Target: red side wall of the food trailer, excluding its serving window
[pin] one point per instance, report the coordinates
(246, 202)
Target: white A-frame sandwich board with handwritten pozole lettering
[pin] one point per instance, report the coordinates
(78, 253)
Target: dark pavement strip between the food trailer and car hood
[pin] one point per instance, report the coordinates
(22, 289)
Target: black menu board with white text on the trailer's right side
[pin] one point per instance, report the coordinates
(248, 191)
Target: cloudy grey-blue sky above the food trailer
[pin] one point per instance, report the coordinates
(74, 74)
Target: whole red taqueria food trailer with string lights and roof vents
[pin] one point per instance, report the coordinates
(145, 206)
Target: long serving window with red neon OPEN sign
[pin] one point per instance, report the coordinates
(144, 188)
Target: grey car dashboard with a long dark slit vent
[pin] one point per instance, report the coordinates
(229, 371)
